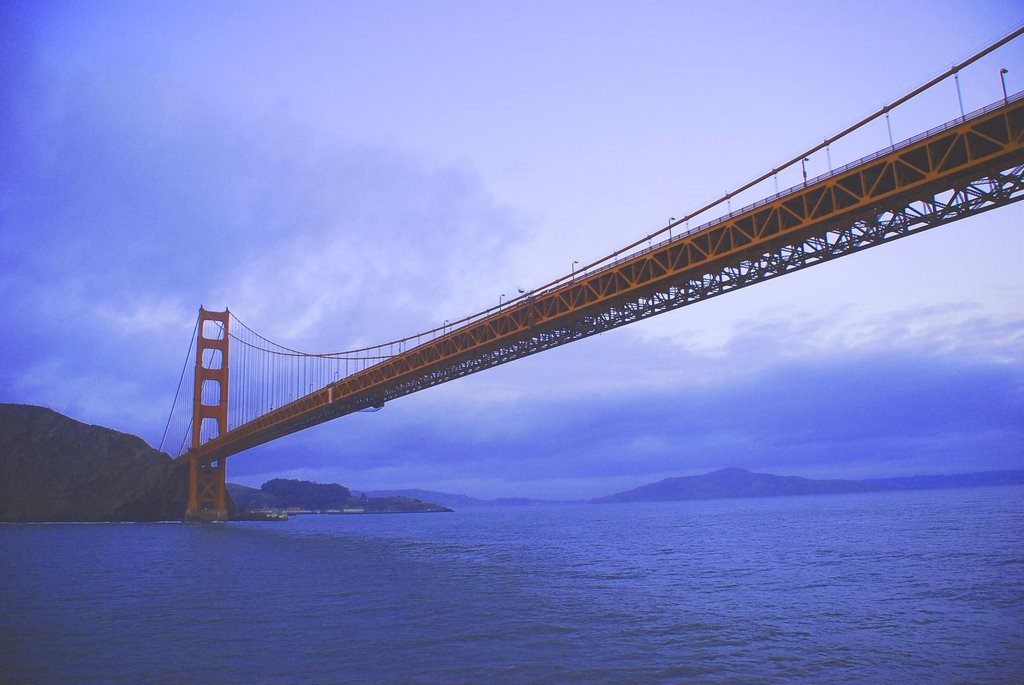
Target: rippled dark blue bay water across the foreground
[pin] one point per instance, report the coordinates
(912, 587)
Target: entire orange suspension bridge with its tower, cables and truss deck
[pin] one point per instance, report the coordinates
(247, 391)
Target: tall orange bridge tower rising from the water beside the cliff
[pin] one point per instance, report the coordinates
(207, 485)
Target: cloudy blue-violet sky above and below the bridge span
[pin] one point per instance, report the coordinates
(346, 174)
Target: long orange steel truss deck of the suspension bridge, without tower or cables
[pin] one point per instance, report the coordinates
(864, 204)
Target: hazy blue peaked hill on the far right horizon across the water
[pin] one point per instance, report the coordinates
(734, 483)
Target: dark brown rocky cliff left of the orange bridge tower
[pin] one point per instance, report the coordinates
(54, 468)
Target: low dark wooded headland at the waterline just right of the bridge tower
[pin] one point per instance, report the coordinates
(307, 496)
